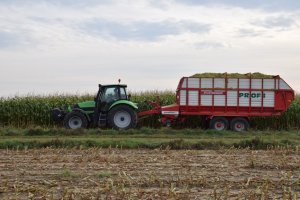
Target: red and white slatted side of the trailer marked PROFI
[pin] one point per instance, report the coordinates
(233, 96)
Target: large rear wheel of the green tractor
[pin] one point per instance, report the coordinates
(122, 117)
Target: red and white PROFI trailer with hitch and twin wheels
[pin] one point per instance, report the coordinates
(223, 100)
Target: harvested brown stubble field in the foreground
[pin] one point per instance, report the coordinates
(116, 173)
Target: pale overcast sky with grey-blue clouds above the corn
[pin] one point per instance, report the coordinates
(58, 46)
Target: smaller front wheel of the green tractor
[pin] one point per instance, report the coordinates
(75, 120)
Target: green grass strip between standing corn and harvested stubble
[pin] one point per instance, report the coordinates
(145, 138)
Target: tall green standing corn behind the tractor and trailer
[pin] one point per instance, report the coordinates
(31, 111)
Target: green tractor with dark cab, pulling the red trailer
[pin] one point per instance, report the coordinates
(111, 107)
